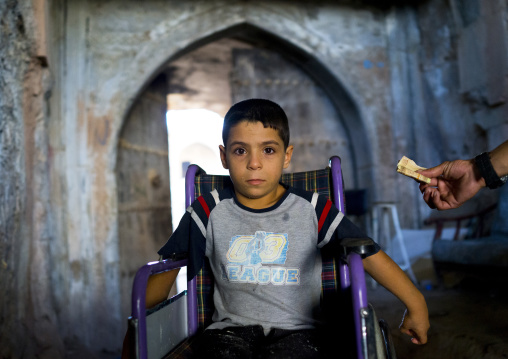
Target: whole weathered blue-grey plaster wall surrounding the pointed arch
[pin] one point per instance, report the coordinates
(406, 80)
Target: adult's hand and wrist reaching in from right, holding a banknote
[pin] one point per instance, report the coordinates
(453, 183)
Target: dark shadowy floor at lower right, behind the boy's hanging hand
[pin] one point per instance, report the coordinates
(466, 322)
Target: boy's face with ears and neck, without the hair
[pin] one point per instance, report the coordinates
(255, 158)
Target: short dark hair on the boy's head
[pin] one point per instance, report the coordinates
(253, 110)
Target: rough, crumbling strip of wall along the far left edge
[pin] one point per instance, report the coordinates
(28, 262)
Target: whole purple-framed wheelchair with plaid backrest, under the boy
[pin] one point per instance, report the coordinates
(166, 331)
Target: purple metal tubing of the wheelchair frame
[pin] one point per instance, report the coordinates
(351, 273)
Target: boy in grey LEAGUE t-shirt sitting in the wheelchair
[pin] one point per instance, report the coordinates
(263, 240)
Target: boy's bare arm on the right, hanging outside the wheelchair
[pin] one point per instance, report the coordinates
(387, 273)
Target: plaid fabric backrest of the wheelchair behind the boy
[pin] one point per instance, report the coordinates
(316, 181)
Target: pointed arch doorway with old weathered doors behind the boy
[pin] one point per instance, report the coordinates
(324, 122)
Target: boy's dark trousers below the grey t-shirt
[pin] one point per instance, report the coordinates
(250, 342)
